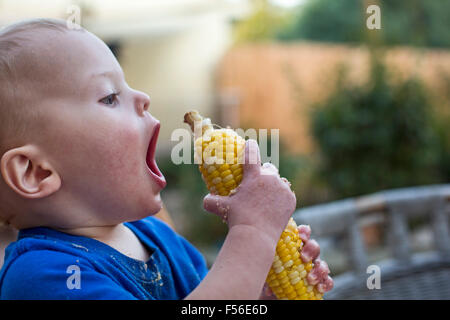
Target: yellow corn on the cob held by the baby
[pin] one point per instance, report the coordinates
(220, 154)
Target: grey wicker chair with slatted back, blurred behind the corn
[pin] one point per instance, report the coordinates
(405, 274)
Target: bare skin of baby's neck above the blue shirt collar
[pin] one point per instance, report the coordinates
(118, 237)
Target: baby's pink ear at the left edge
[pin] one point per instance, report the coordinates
(26, 171)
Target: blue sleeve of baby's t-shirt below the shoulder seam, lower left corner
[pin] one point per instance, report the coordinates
(53, 275)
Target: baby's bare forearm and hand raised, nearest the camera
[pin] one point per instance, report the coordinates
(256, 215)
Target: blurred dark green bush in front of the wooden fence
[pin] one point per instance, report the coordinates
(376, 136)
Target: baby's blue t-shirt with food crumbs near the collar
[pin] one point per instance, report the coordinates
(47, 264)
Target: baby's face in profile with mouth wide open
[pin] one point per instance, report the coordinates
(99, 136)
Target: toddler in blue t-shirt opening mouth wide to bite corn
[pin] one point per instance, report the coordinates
(80, 182)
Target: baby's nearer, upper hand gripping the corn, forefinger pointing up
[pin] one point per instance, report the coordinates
(262, 200)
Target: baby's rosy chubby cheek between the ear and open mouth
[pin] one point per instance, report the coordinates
(107, 168)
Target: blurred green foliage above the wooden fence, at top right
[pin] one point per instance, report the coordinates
(412, 22)
